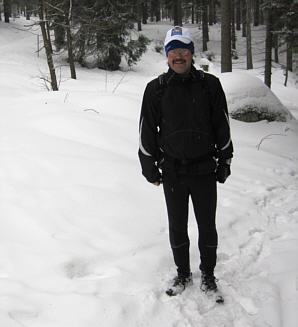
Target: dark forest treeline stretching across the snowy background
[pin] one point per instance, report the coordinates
(102, 29)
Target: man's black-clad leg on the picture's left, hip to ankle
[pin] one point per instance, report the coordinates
(177, 198)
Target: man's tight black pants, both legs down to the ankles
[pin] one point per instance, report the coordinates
(203, 193)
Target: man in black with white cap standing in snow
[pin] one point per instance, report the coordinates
(185, 134)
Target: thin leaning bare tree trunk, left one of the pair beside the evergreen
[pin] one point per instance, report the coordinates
(47, 46)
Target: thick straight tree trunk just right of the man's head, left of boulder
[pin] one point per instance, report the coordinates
(226, 59)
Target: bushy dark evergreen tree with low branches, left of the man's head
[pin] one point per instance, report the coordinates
(103, 32)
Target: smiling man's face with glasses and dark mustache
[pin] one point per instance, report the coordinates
(180, 60)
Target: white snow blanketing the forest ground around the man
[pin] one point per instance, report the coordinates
(83, 237)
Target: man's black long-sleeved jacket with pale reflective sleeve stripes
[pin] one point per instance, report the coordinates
(184, 120)
